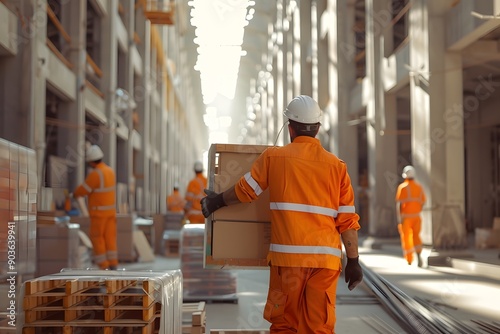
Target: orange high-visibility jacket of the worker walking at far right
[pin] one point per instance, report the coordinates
(411, 197)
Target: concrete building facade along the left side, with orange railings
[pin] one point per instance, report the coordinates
(101, 72)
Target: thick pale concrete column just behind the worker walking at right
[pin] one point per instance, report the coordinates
(437, 142)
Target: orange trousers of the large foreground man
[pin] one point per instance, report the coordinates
(301, 300)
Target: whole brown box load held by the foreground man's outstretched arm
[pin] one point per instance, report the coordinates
(237, 236)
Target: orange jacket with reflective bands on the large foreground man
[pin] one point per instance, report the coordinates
(311, 201)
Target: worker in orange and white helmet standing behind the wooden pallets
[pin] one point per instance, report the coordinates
(100, 187)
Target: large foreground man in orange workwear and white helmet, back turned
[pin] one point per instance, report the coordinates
(312, 214)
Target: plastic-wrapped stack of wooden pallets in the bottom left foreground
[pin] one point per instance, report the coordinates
(90, 301)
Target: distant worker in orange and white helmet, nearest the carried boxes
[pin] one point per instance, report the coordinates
(194, 193)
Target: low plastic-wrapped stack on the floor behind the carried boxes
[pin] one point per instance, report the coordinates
(200, 283)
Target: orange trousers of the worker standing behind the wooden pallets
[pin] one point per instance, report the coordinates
(103, 237)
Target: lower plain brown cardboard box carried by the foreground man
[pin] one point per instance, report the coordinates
(242, 240)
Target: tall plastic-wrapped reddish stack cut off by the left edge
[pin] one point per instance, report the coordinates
(18, 205)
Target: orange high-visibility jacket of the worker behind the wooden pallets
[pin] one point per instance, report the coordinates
(100, 186)
